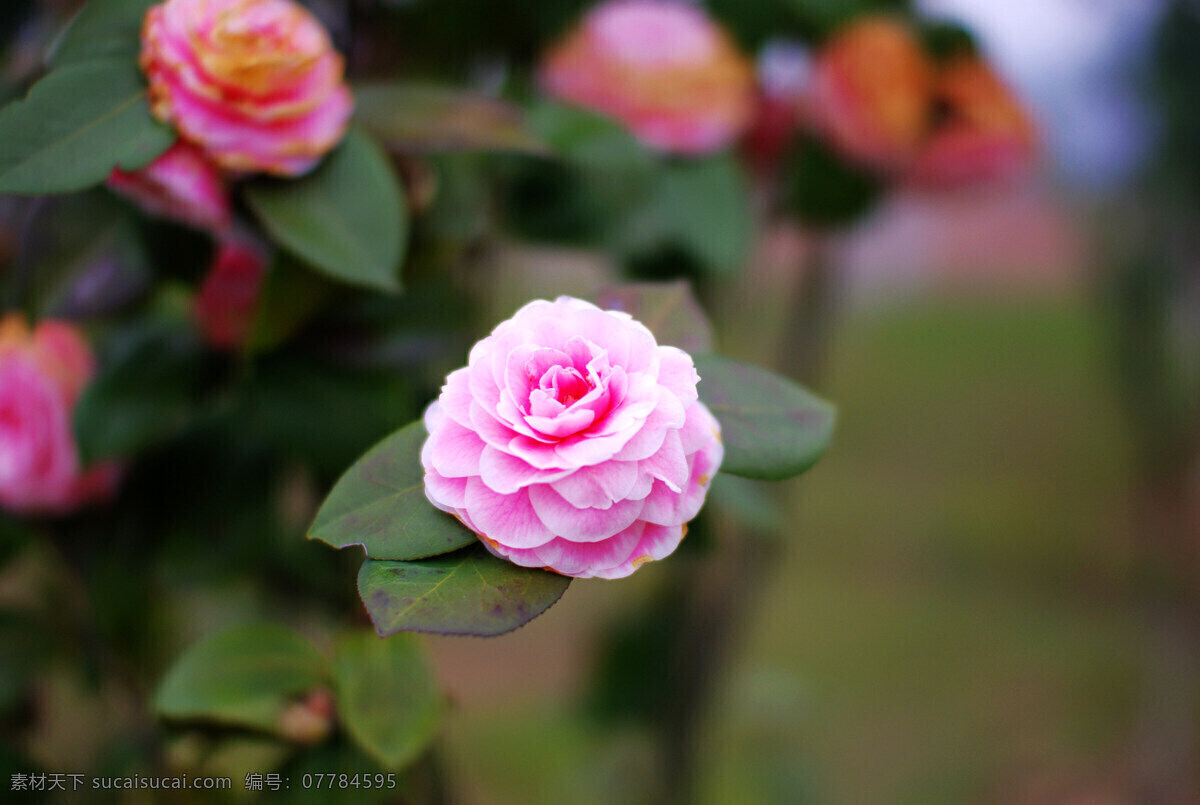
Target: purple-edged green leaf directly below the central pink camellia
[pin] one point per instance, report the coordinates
(466, 593)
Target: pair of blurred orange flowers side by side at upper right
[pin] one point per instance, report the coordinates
(881, 100)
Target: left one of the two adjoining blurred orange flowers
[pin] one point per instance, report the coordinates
(872, 91)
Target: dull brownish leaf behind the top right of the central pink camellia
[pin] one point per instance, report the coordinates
(669, 309)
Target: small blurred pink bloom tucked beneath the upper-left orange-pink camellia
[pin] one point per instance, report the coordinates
(183, 185)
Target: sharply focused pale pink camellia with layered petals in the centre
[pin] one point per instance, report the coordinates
(573, 442)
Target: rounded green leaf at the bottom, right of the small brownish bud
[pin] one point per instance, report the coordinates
(387, 696)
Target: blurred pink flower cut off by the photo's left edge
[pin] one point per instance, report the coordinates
(43, 374)
